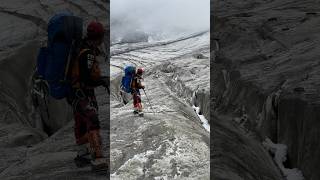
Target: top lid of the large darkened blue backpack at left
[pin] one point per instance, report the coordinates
(64, 24)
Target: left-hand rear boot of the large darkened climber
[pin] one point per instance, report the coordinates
(83, 157)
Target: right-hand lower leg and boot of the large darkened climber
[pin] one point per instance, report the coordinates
(98, 162)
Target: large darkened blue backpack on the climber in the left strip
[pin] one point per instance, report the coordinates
(64, 37)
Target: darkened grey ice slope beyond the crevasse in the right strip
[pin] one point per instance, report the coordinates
(266, 70)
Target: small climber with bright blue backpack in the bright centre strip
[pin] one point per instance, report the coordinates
(132, 82)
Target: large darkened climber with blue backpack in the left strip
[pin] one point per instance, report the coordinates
(68, 68)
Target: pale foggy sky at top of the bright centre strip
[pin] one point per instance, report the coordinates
(166, 16)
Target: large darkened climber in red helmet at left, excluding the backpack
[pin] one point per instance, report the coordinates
(86, 75)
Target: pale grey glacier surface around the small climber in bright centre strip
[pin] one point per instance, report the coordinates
(172, 143)
